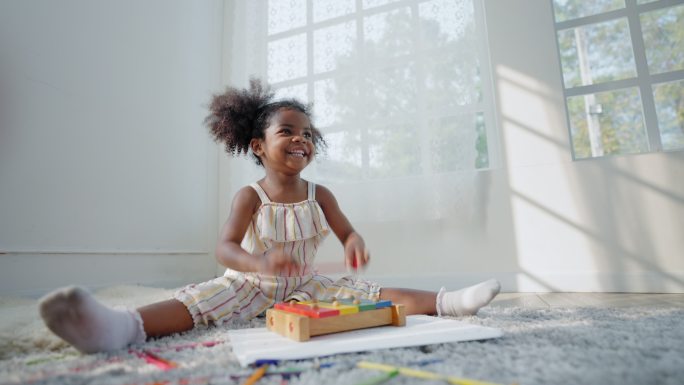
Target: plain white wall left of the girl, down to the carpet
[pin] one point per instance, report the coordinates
(107, 174)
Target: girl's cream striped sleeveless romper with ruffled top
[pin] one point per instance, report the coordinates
(297, 228)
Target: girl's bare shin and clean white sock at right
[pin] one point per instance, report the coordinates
(466, 301)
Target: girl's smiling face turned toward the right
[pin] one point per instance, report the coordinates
(287, 145)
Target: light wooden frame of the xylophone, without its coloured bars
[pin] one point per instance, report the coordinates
(300, 327)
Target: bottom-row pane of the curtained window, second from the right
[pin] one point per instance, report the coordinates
(394, 151)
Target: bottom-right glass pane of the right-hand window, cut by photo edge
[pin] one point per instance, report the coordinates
(669, 98)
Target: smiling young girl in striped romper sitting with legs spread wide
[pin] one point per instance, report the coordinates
(268, 243)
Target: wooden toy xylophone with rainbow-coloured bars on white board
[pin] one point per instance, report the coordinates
(302, 320)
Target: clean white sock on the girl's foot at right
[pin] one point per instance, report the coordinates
(466, 301)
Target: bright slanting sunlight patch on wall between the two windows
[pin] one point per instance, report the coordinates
(546, 216)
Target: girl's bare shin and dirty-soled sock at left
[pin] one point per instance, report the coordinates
(90, 326)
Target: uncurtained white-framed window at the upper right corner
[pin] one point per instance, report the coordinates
(623, 71)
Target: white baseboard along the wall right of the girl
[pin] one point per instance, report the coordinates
(600, 282)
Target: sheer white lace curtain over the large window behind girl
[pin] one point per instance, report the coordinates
(401, 92)
